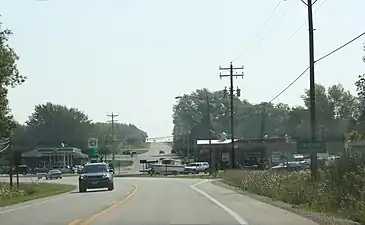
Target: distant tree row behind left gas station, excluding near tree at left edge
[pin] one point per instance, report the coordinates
(52, 125)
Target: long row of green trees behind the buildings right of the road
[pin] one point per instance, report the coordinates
(339, 114)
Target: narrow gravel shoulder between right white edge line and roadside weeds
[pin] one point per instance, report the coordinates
(318, 218)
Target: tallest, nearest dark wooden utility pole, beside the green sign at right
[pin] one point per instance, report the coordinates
(312, 95)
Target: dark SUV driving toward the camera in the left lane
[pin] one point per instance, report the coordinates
(96, 175)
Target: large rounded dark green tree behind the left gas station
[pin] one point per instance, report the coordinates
(53, 124)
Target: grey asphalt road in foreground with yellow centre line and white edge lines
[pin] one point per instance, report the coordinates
(159, 201)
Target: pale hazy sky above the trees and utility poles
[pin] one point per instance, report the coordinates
(133, 57)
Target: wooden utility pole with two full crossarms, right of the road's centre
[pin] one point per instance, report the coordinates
(231, 75)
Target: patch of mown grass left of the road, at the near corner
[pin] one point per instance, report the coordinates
(30, 191)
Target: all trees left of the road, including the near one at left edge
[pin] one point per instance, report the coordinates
(51, 124)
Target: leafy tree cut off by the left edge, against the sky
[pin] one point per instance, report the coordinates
(9, 77)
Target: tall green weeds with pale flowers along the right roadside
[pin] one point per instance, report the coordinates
(340, 189)
